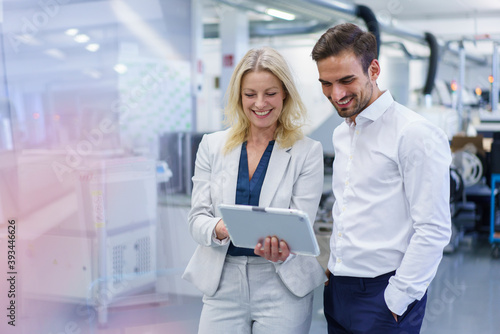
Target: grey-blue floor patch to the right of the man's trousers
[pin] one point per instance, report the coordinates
(465, 295)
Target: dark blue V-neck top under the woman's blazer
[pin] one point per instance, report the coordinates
(248, 191)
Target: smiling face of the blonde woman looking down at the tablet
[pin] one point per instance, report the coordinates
(262, 98)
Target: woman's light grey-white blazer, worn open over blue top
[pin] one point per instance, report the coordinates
(294, 179)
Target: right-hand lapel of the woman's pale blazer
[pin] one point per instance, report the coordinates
(274, 174)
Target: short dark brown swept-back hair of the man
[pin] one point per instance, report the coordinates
(350, 37)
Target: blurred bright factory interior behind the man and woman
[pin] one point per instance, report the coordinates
(103, 104)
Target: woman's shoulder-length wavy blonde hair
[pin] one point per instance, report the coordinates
(293, 115)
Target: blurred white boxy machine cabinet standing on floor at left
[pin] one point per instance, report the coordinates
(104, 252)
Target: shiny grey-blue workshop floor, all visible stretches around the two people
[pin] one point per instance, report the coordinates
(464, 298)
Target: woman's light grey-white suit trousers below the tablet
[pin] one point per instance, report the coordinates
(252, 299)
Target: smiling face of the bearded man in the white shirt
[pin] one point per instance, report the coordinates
(346, 85)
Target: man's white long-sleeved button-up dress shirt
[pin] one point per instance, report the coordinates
(391, 188)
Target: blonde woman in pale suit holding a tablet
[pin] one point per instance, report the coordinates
(263, 159)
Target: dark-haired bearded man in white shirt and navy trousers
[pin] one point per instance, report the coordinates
(391, 217)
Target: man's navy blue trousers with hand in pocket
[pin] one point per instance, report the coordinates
(354, 305)
